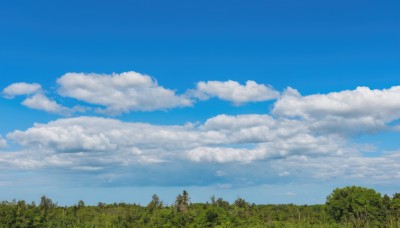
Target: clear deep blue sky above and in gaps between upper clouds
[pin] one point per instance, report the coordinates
(313, 46)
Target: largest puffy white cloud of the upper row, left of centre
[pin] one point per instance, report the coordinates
(119, 93)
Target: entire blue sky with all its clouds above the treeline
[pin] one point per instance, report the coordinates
(271, 101)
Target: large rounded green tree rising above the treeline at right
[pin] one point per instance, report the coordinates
(357, 205)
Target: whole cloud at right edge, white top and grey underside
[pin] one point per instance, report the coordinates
(346, 112)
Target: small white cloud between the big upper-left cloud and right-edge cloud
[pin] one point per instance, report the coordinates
(234, 92)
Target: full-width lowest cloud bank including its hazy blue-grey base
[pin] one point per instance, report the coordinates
(275, 147)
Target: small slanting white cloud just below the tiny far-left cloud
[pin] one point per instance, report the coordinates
(40, 101)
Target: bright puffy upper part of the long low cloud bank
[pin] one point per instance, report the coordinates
(221, 139)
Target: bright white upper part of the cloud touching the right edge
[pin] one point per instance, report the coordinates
(381, 105)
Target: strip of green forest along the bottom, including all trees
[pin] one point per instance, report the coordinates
(351, 206)
